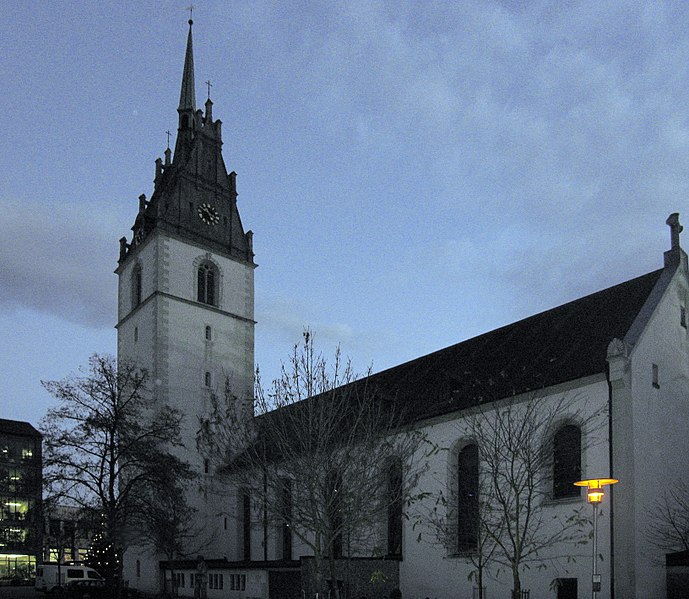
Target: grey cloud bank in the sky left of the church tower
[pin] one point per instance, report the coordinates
(59, 260)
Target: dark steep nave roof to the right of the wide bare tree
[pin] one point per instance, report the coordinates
(559, 345)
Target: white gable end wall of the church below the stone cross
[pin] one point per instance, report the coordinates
(659, 420)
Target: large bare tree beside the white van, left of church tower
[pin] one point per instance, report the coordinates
(105, 446)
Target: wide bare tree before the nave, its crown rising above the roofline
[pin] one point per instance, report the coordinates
(315, 457)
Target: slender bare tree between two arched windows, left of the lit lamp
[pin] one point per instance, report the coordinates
(508, 521)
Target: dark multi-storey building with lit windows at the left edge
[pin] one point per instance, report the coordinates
(20, 501)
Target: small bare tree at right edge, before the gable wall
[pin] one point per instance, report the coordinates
(668, 520)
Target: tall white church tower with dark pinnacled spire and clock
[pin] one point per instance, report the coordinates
(186, 285)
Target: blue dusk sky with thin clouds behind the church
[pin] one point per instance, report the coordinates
(415, 173)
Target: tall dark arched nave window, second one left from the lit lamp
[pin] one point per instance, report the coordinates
(467, 499)
